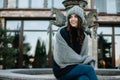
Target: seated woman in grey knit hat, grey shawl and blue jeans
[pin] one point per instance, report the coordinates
(70, 58)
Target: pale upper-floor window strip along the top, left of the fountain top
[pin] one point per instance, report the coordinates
(40, 3)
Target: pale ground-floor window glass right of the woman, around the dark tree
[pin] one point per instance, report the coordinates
(107, 35)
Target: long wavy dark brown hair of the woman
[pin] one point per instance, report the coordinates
(80, 31)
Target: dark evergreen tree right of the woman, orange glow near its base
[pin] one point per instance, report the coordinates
(104, 57)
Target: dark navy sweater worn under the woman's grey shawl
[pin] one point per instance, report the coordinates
(58, 72)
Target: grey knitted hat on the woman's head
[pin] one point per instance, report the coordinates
(76, 10)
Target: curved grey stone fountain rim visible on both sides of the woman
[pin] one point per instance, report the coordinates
(46, 74)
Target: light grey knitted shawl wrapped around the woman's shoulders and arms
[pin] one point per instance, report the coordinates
(65, 55)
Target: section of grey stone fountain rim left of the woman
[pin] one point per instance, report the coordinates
(26, 74)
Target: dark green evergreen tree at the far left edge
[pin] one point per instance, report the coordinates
(7, 52)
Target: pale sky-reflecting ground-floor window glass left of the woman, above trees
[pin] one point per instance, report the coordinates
(32, 31)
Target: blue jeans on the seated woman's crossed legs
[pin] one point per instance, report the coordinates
(81, 72)
